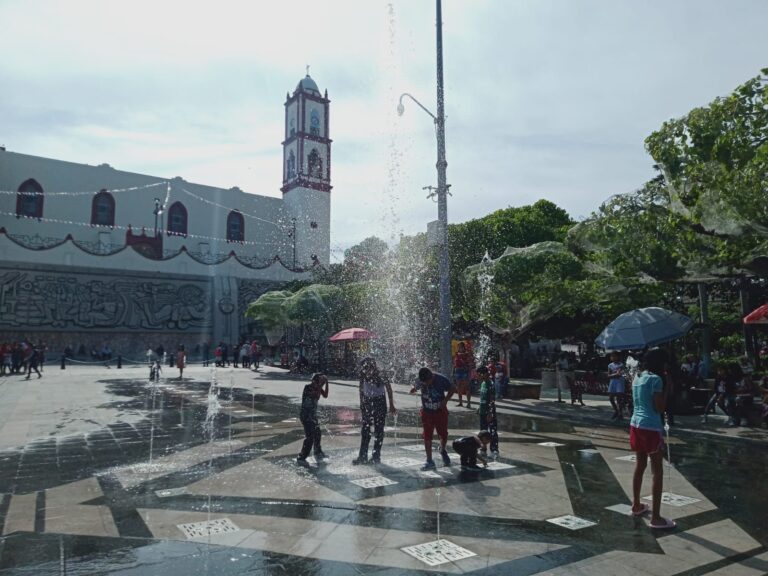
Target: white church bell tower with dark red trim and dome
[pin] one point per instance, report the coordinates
(307, 172)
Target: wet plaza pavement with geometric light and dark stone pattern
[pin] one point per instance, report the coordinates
(103, 472)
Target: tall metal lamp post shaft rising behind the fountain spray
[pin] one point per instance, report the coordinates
(442, 208)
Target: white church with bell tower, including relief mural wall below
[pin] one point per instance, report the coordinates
(92, 255)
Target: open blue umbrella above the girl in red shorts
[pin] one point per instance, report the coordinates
(643, 328)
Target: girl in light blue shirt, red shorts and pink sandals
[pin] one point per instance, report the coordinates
(649, 395)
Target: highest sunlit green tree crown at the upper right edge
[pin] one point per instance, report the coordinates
(715, 161)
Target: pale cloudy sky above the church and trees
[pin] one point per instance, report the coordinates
(543, 98)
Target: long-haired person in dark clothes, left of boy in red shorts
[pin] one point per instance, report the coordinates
(374, 391)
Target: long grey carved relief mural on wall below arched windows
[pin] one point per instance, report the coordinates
(67, 301)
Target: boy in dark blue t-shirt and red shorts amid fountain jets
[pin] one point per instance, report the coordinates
(436, 390)
